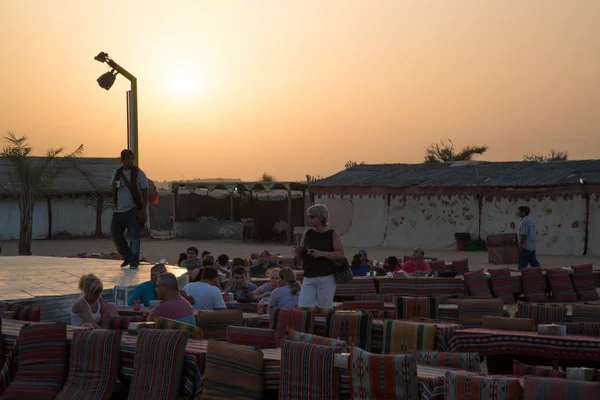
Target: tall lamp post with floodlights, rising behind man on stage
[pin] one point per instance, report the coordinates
(106, 81)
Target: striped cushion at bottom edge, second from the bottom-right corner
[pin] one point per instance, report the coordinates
(461, 386)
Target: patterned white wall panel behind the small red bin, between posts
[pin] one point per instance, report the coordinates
(430, 222)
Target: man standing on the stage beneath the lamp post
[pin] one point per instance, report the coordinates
(130, 197)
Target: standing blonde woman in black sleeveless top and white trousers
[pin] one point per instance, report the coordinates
(319, 248)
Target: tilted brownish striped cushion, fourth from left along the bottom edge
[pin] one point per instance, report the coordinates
(233, 372)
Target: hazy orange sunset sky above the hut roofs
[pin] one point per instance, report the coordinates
(233, 89)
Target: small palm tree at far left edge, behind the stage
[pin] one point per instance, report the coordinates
(30, 177)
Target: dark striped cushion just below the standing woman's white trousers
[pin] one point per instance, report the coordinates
(352, 328)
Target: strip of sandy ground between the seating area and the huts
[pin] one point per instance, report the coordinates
(155, 250)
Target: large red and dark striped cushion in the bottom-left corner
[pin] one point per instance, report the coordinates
(43, 362)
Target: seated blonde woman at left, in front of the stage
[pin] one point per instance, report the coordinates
(89, 309)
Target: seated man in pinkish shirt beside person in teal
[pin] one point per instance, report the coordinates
(173, 306)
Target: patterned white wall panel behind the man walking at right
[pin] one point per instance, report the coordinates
(560, 221)
